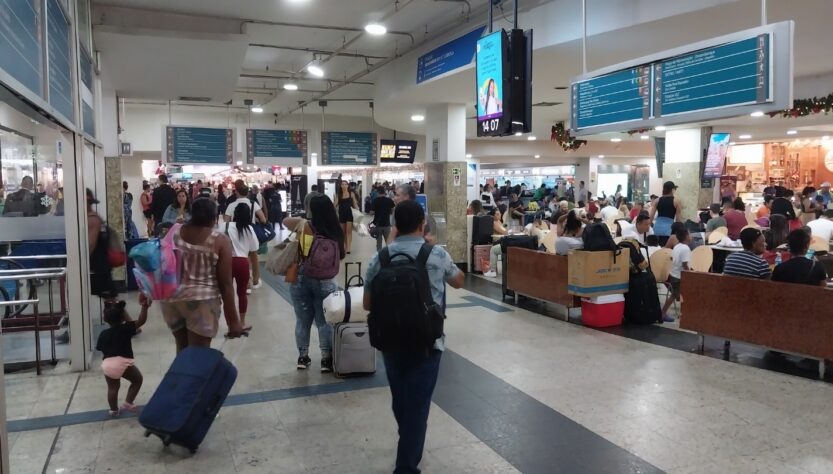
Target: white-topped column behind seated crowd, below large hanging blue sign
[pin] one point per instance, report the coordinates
(683, 166)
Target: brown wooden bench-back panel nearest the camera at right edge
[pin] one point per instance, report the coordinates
(780, 316)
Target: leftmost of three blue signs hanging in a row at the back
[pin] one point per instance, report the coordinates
(199, 145)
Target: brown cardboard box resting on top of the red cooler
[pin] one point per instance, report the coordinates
(597, 273)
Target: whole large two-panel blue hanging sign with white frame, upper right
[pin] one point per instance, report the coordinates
(719, 78)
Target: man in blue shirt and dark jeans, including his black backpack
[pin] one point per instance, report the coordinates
(407, 281)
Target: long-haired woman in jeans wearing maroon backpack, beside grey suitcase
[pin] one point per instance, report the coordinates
(308, 293)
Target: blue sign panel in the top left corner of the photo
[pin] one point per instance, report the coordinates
(20, 42)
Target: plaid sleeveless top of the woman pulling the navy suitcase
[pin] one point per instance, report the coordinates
(199, 269)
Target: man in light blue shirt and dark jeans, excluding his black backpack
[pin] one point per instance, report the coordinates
(412, 376)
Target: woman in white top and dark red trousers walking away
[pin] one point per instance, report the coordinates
(243, 243)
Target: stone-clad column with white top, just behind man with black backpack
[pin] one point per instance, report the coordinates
(446, 175)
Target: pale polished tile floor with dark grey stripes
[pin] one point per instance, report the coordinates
(518, 392)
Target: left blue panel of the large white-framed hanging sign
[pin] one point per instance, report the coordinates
(617, 97)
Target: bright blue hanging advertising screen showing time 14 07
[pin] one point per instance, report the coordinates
(491, 82)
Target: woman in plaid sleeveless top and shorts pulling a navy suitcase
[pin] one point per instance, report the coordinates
(205, 255)
